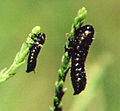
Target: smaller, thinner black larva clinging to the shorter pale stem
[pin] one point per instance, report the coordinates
(34, 51)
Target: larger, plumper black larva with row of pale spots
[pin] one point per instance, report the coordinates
(78, 50)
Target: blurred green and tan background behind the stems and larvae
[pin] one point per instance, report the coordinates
(34, 92)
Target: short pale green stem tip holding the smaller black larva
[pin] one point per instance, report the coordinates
(7, 73)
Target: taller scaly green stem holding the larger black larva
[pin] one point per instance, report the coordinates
(62, 72)
